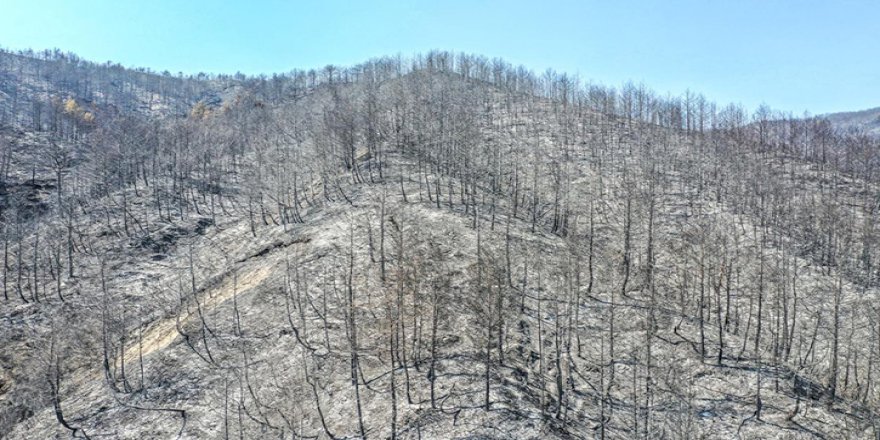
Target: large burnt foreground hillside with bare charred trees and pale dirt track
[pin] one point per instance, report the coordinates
(442, 247)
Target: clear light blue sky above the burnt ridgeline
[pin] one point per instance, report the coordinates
(806, 55)
